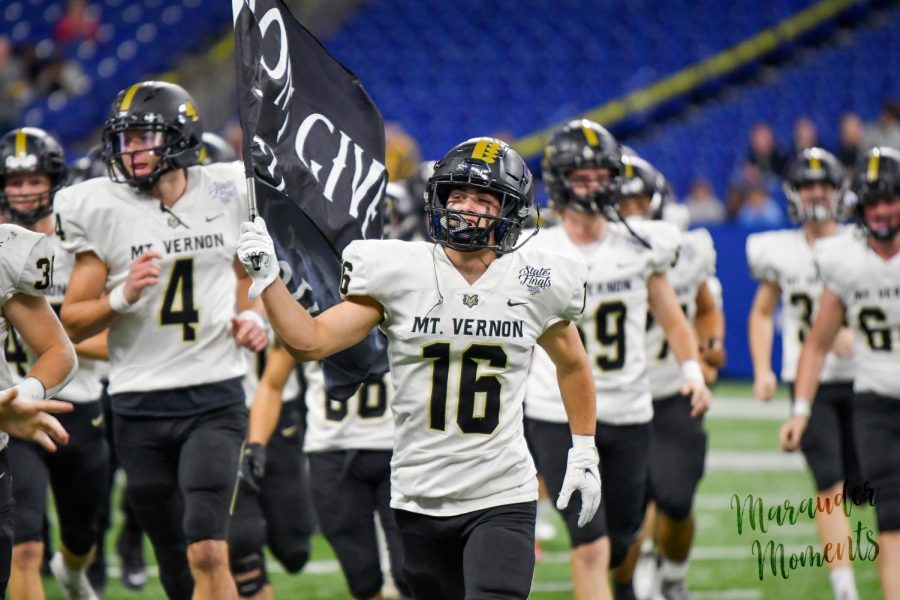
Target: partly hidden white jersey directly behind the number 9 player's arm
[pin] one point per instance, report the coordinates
(695, 265)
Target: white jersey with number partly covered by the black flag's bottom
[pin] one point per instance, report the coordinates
(362, 422)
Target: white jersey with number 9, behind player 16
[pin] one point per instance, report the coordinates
(614, 322)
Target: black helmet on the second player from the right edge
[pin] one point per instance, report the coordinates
(809, 166)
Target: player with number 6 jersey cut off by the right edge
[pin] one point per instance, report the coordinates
(860, 273)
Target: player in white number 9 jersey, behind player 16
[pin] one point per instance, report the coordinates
(582, 168)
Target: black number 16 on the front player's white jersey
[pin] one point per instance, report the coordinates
(470, 417)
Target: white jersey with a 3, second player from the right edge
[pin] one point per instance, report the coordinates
(785, 259)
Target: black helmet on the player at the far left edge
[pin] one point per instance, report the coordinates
(31, 150)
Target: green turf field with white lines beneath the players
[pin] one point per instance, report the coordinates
(743, 460)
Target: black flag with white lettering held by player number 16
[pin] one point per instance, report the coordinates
(314, 151)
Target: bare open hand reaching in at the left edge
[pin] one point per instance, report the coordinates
(29, 419)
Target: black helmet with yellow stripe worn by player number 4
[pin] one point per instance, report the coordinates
(167, 113)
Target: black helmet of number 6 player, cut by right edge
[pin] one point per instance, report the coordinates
(876, 177)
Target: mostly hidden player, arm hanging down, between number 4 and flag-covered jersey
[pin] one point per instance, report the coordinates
(273, 506)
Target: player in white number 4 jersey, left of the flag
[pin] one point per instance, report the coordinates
(153, 247)
